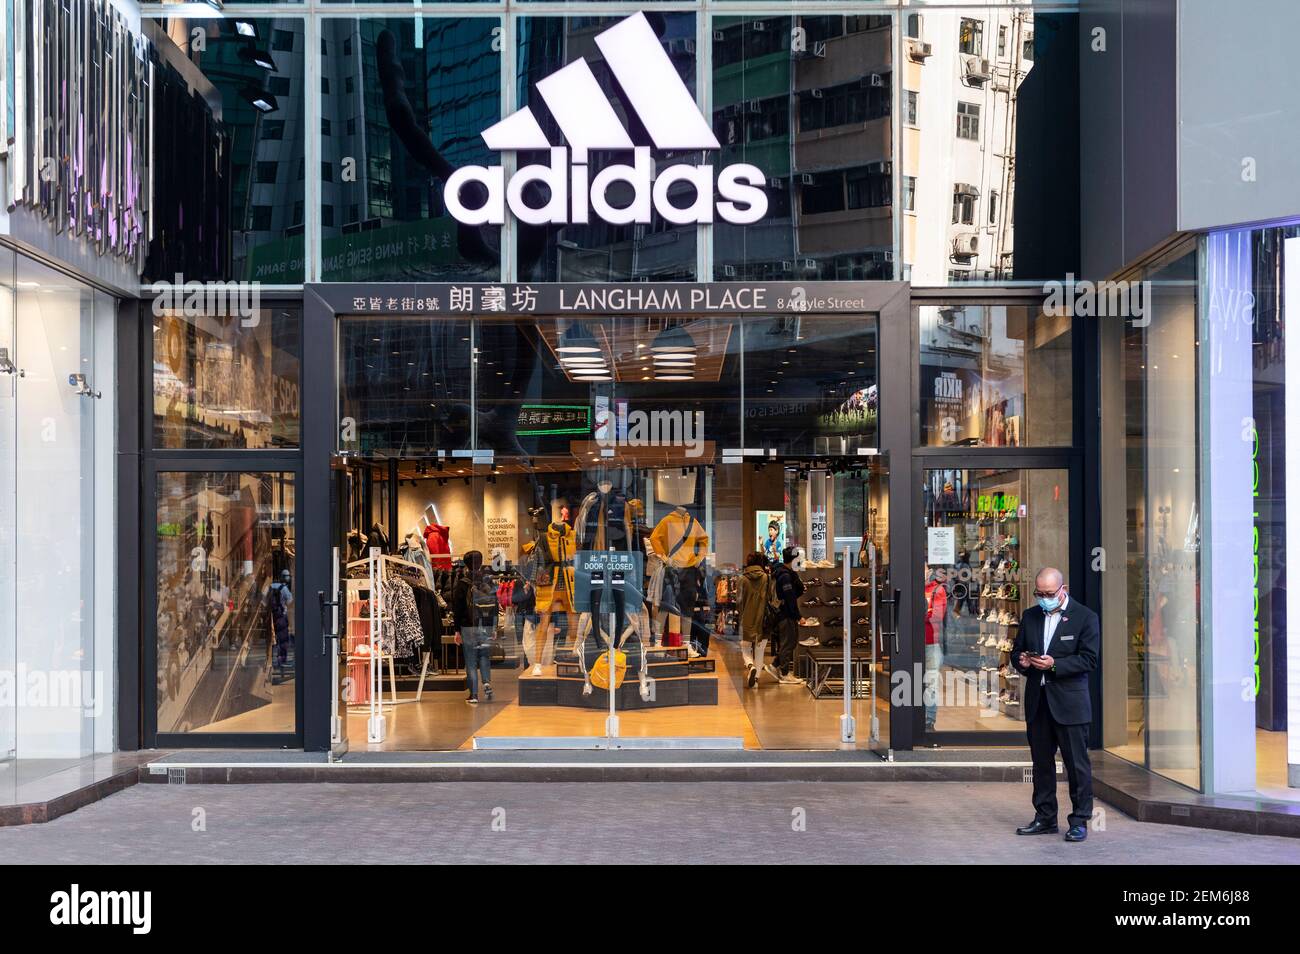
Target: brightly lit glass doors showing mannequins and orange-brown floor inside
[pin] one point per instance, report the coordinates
(482, 619)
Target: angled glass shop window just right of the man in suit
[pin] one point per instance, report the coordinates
(1155, 462)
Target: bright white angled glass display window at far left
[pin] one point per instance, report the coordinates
(58, 557)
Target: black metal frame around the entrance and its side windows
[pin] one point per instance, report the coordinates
(317, 501)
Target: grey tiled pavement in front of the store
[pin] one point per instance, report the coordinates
(613, 822)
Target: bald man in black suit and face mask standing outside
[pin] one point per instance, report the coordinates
(1055, 651)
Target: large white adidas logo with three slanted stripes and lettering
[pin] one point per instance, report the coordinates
(665, 107)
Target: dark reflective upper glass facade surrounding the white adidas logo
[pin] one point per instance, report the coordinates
(921, 145)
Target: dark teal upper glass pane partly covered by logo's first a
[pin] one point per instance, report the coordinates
(398, 114)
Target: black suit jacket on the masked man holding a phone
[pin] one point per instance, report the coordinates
(1076, 647)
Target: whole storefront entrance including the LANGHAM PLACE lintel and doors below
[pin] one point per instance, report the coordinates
(695, 475)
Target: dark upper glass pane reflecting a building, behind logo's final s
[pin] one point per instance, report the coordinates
(811, 107)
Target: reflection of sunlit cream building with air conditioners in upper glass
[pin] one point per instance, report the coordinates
(963, 77)
